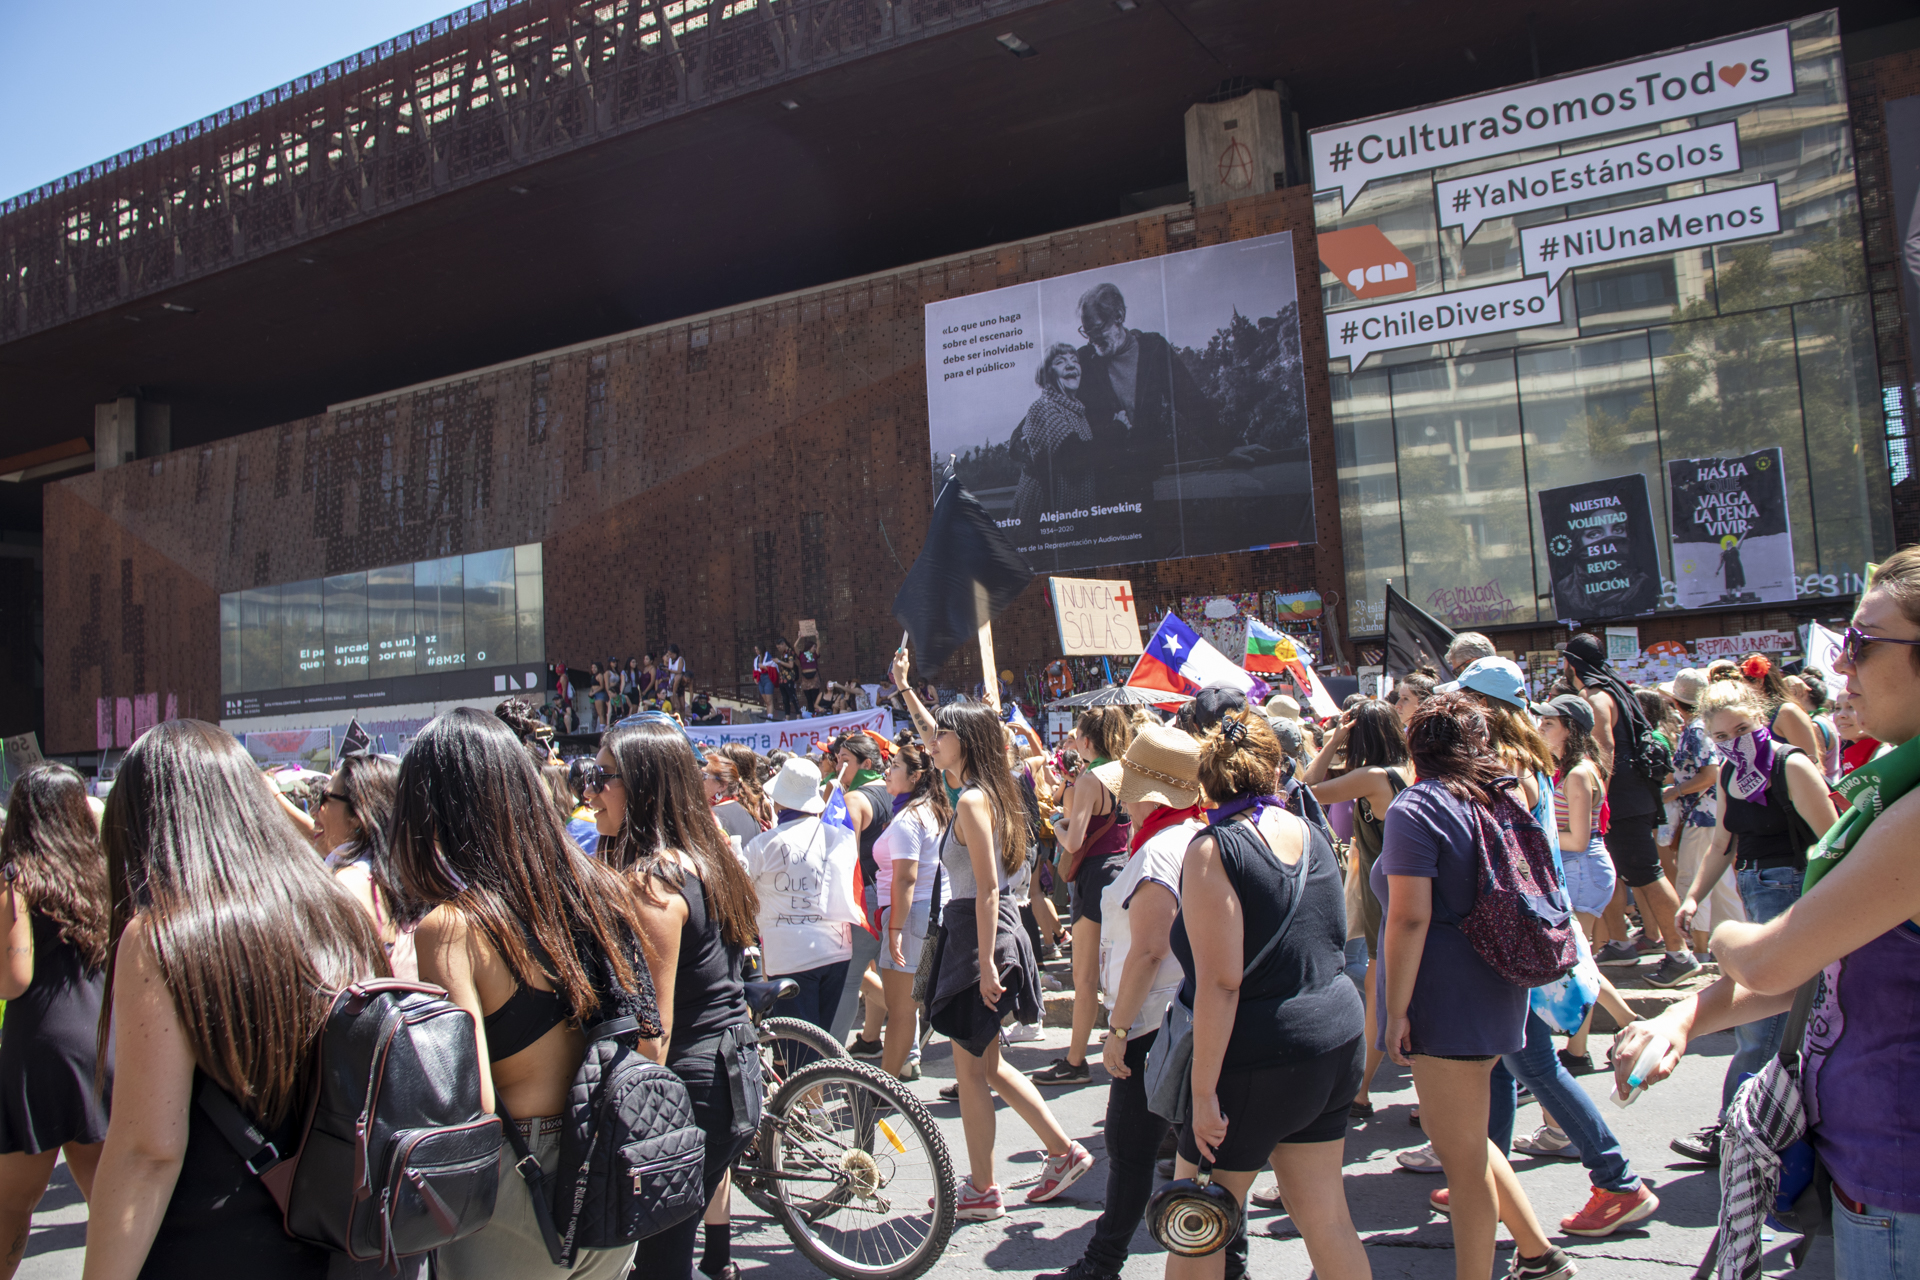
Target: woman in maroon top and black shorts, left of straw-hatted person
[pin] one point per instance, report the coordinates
(1095, 841)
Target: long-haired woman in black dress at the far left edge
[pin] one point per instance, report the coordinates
(53, 980)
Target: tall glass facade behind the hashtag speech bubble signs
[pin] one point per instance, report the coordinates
(1742, 346)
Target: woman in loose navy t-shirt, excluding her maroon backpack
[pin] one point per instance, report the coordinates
(1447, 1012)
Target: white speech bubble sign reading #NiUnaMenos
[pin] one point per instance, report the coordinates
(1612, 237)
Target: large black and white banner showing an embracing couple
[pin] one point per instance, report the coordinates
(1141, 412)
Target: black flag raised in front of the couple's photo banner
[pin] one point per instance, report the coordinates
(965, 579)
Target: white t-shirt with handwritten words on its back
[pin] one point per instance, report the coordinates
(790, 868)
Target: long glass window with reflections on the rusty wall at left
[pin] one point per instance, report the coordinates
(483, 611)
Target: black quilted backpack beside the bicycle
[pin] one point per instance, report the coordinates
(633, 1158)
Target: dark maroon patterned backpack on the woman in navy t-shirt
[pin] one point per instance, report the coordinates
(1522, 922)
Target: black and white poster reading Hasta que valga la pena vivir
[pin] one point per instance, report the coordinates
(1733, 538)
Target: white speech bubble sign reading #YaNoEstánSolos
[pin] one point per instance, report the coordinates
(1589, 176)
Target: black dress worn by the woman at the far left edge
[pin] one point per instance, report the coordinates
(47, 1051)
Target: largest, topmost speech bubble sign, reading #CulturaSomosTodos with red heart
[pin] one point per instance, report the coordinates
(1585, 105)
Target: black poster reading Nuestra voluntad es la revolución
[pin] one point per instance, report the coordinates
(1602, 548)
